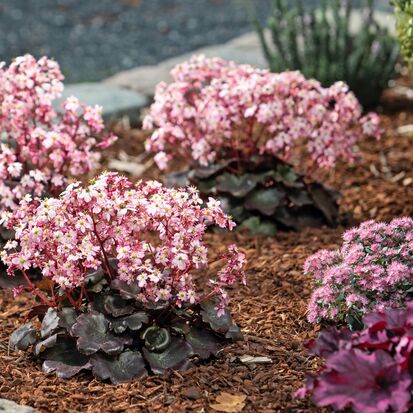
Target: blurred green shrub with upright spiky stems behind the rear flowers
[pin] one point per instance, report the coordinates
(319, 43)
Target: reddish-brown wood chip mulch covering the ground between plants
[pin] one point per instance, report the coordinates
(271, 310)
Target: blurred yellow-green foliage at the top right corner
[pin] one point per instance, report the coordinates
(404, 18)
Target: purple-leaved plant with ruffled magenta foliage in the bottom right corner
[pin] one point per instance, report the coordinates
(370, 371)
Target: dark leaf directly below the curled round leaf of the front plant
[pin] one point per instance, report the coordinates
(176, 356)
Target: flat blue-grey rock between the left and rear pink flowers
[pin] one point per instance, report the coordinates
(115, 101)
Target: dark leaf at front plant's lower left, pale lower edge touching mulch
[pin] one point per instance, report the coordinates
(64, 358)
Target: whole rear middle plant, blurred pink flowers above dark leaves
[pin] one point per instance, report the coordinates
(236, 127)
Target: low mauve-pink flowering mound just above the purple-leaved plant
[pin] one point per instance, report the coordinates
(373, 270)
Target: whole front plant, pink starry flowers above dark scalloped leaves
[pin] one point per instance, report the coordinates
(119, 263)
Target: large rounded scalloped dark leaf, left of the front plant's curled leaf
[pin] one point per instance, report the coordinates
(92, 332)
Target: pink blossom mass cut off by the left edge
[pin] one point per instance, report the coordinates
(40, 147)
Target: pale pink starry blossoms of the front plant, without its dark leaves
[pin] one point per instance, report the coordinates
(154, 233)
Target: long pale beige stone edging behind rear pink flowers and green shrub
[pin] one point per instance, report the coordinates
(243, 49)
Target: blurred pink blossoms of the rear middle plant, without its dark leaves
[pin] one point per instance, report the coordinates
(216, 109)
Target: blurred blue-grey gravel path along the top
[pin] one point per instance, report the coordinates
(93, 39)
